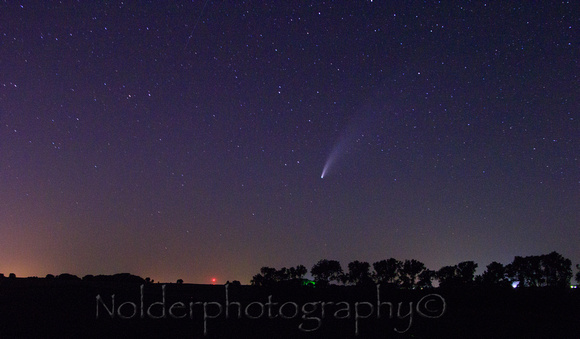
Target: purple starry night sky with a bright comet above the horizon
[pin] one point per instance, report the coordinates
(187, 139)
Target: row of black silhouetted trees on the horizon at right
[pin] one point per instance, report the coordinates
(548, 270)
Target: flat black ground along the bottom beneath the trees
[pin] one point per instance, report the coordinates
(41, 308)
